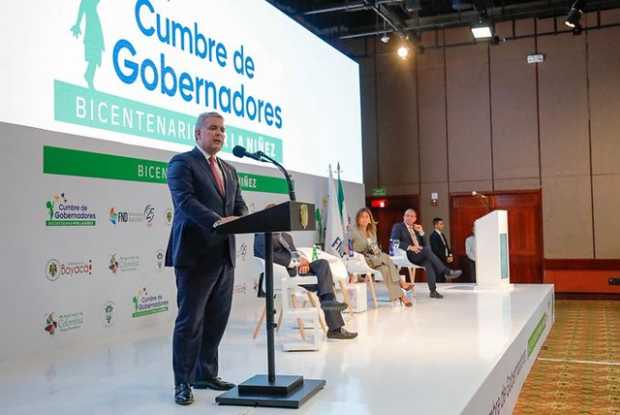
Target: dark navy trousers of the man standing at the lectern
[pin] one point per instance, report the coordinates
(204, 298)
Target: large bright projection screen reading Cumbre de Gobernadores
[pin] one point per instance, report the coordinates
(300, 100)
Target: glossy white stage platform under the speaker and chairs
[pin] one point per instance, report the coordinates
(468, 353)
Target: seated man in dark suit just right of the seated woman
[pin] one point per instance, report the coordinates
(411, 239)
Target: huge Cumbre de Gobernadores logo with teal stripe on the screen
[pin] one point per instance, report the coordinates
(155, 70)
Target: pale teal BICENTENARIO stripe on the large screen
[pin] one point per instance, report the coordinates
(82, 106)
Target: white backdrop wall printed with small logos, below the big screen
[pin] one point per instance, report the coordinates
(90, 283)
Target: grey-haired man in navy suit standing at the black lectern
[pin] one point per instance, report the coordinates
(205, 192)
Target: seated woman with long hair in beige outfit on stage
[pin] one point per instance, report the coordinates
(365, 242)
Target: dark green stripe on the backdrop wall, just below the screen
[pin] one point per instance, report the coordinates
(70, 162)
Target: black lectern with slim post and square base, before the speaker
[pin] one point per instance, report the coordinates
(271, 390)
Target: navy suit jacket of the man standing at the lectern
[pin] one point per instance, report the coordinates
(198, 204)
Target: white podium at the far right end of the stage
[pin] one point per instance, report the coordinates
(492, 256)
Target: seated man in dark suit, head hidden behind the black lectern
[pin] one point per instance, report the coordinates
(285, 254)
